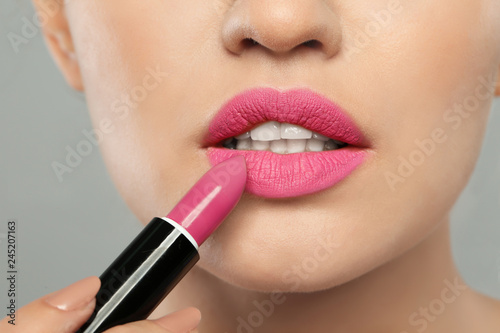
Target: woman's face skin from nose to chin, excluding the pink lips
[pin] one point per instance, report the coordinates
(416, 77)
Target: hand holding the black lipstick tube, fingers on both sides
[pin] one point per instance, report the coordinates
(64, 311)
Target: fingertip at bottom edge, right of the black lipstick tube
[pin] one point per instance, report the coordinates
(182, 321)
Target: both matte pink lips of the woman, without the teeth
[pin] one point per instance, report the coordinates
(279, 176)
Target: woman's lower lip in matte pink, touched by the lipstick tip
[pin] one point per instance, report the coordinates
(273, 175)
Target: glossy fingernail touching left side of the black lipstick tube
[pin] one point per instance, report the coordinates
(75, 296)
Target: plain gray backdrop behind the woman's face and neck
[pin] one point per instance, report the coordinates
(72, 229)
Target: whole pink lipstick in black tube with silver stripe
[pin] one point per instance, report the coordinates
(166, 249)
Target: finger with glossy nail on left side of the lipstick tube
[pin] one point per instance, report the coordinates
(63, 311)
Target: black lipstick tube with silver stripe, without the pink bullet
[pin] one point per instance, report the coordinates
(142, 275)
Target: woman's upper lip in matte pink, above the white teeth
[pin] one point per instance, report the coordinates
(296, 106)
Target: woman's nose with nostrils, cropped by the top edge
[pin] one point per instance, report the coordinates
(281, 26)
